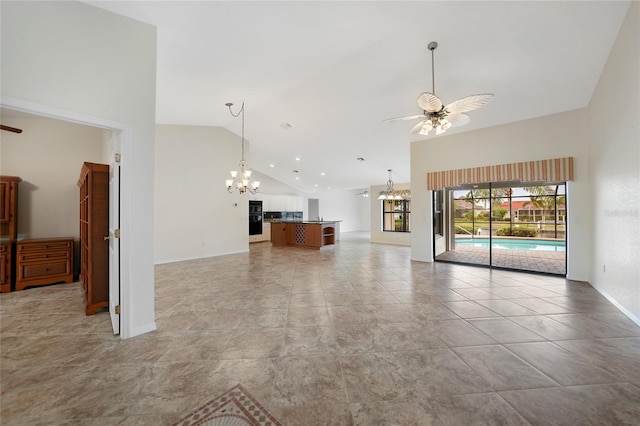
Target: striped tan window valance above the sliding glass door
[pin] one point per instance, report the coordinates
(553, 170)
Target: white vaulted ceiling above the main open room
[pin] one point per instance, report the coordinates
(335, 70)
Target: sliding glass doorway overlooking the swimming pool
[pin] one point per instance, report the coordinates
(506, 225)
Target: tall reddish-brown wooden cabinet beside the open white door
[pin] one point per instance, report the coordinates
(94, 227)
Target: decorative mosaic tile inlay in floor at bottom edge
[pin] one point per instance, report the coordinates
(233, 408)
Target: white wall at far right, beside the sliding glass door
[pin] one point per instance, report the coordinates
(614, 147)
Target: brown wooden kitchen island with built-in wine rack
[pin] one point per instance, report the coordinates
(308, 234)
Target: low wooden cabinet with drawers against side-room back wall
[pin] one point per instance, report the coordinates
(44, 261)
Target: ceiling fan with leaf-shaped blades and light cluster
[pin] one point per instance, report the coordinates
(436, 115)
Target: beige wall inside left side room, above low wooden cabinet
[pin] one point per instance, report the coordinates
(48, 156)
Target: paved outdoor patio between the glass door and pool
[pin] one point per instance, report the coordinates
(549, 262)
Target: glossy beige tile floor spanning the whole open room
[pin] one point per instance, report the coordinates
(353, 334)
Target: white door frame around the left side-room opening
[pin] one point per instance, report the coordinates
(126, 196)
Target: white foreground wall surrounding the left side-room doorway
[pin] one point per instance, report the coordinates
(75, 61)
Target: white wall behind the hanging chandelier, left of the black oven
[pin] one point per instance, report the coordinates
(195, 216)
